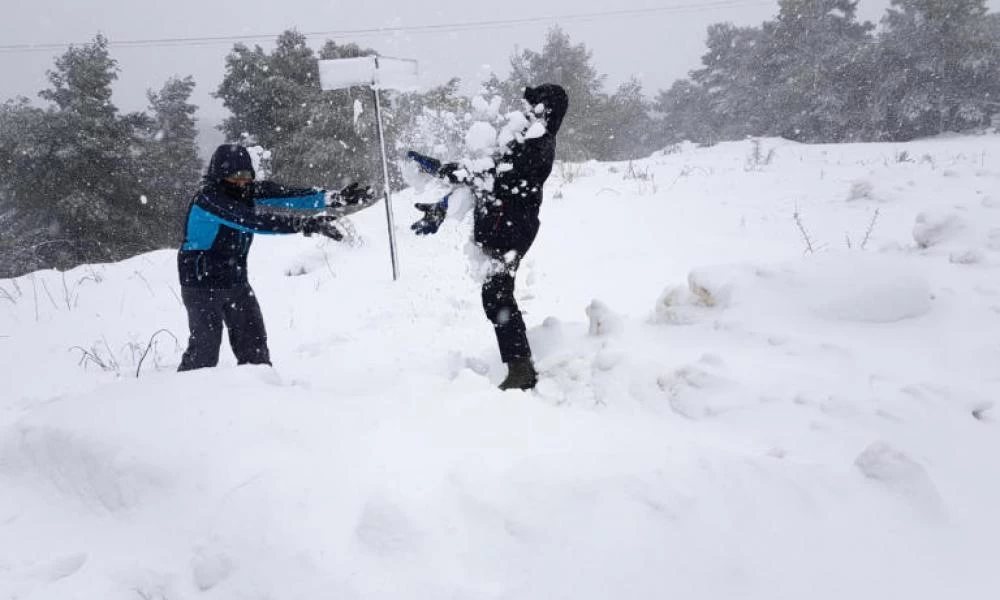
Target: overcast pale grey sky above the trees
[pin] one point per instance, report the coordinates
(658, 47)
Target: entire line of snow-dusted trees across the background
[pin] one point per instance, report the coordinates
(81, 182)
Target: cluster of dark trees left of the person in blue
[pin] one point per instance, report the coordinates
(81, 182)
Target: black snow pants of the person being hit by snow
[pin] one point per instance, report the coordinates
(498, 296)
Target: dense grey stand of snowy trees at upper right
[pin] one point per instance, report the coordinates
(816, 74)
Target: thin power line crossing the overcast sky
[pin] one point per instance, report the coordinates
(438, 28)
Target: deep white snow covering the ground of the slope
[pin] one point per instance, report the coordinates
(721, 414)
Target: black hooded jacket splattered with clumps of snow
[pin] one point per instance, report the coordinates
(507, 218)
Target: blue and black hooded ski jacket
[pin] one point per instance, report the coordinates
(223, 219)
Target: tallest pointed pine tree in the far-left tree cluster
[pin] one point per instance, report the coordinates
(93, 208)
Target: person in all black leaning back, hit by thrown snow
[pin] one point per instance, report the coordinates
(508, 199)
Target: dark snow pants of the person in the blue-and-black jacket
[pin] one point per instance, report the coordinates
(208, 309)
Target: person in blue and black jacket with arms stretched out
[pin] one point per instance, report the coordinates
(212, 261)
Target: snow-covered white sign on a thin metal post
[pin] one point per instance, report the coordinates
(376, 73)
